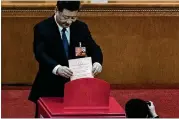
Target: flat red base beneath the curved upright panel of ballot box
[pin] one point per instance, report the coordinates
(54, 108)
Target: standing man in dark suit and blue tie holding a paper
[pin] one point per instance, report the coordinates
(55, 40)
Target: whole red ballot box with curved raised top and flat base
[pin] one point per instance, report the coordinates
(83, 98)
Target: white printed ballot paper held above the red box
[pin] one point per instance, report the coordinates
(81, 68)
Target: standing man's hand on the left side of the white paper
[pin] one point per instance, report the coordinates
(64, 72)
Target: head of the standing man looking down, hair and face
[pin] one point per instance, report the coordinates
(66, 12)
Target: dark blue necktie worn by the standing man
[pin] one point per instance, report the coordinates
(65, 41)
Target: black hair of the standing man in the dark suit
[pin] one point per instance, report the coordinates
(69, 5)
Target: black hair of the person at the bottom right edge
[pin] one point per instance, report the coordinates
(136, 108)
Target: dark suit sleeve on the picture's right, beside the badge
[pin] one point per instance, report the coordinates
(94, 49)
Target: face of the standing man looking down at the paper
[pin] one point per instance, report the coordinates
(66, 17)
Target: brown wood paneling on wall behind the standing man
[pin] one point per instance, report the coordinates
(140, 45)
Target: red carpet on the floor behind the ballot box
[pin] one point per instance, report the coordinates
(15, 103)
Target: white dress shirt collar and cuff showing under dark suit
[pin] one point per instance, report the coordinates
(67, 32)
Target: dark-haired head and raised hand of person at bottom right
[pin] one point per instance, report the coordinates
(137, 108)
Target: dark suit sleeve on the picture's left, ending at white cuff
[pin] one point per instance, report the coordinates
(39, 50)
